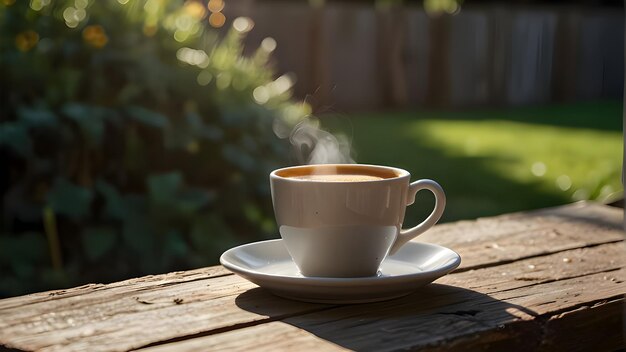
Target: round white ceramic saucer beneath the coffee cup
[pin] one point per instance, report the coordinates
(269, 265)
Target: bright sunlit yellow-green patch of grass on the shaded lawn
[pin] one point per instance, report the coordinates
(582, 163)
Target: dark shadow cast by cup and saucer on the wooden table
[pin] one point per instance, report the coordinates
(430, 317)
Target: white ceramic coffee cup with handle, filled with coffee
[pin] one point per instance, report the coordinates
(342, 220)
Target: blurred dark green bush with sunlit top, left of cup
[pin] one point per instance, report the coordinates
(134, 139)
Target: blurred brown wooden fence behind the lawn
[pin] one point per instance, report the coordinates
(354, 56)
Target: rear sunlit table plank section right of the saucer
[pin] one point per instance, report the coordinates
(514, 236)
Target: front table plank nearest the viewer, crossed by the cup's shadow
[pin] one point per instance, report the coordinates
(460, 321)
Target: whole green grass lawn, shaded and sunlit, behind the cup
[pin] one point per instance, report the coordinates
(496, 161)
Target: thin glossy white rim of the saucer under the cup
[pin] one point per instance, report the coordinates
(341, 281)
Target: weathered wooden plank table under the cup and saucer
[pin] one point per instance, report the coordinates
(552, 279)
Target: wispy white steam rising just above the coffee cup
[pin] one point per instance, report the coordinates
(313, 145)
